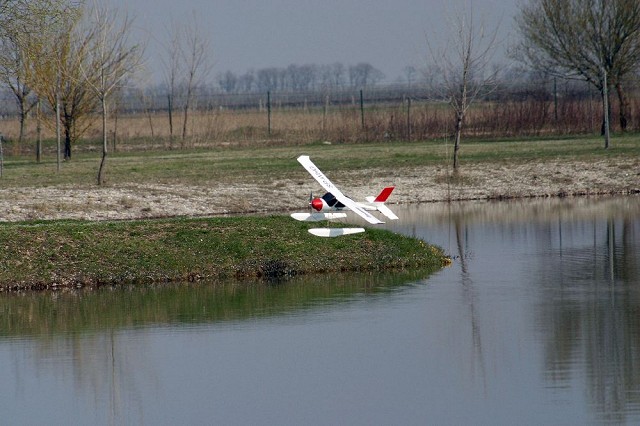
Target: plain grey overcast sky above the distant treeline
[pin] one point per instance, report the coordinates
(254, 34)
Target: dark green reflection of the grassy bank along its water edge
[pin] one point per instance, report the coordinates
(76, 312)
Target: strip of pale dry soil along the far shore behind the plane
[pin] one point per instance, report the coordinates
(421, 184)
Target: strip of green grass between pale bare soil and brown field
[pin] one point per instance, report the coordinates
(257, 163)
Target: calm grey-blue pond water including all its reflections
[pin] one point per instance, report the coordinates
(536, 322)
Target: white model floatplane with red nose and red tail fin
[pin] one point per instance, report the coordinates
(331, 204)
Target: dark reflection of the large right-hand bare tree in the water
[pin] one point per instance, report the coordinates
(591, 322)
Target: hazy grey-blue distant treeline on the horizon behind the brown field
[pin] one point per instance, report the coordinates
(286, 91)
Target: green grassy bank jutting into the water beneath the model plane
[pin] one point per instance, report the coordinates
(41, 255)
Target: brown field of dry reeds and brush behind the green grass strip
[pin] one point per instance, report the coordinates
(338, 124)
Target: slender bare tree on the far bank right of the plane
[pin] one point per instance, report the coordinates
(463, 66)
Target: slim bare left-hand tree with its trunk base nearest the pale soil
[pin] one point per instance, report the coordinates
(111, 59)
